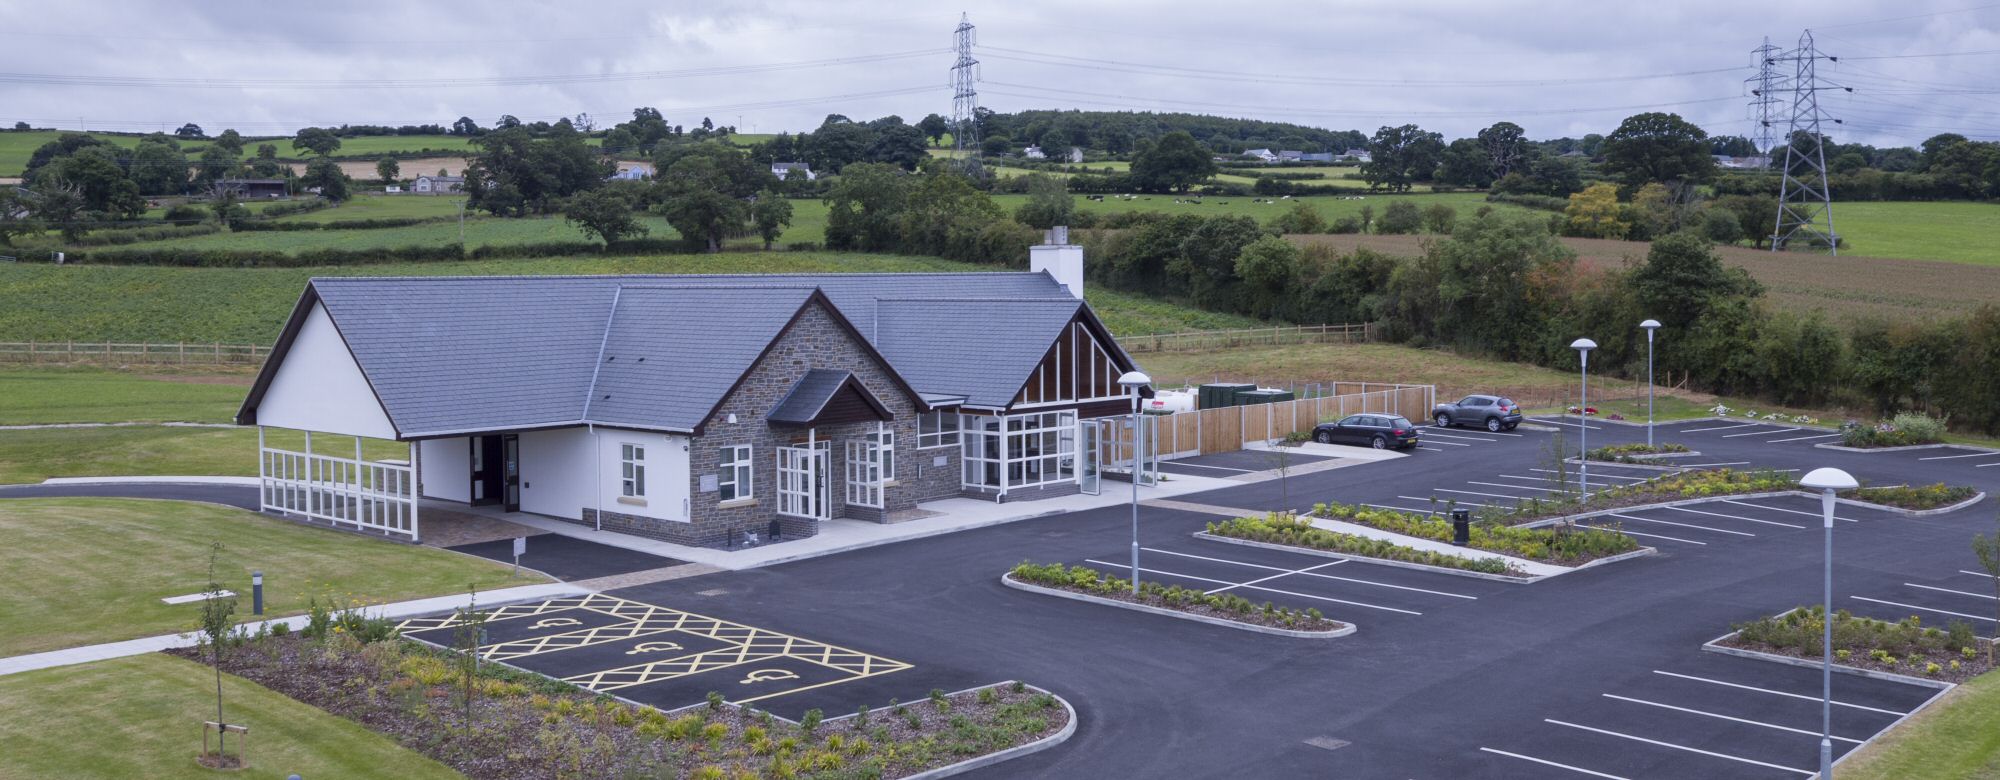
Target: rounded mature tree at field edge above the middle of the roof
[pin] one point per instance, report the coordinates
(705, 191)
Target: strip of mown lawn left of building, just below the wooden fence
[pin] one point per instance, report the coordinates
(93, 395)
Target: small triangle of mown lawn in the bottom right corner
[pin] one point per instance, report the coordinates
(1955, 739)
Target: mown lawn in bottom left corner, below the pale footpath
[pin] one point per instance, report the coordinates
(141, 719)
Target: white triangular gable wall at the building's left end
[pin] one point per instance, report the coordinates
(319, 387)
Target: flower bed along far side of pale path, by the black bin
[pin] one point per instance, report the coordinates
(1563, 547)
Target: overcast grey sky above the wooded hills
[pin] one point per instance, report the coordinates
(1449, 67)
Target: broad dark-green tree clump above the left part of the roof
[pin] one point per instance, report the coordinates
(519, 173)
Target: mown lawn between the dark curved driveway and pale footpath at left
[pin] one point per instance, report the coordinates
(99, 569)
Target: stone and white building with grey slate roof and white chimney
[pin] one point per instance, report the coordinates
(691, 409)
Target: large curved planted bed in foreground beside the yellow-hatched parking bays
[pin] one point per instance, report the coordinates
(533, 727)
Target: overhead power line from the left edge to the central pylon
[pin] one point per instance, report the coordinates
(447, 83)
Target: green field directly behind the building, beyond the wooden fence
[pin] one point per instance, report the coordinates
(249, 305)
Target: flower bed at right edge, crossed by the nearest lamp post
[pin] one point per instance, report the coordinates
(1953, 655)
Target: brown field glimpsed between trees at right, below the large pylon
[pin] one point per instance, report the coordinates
(1847, 287)
